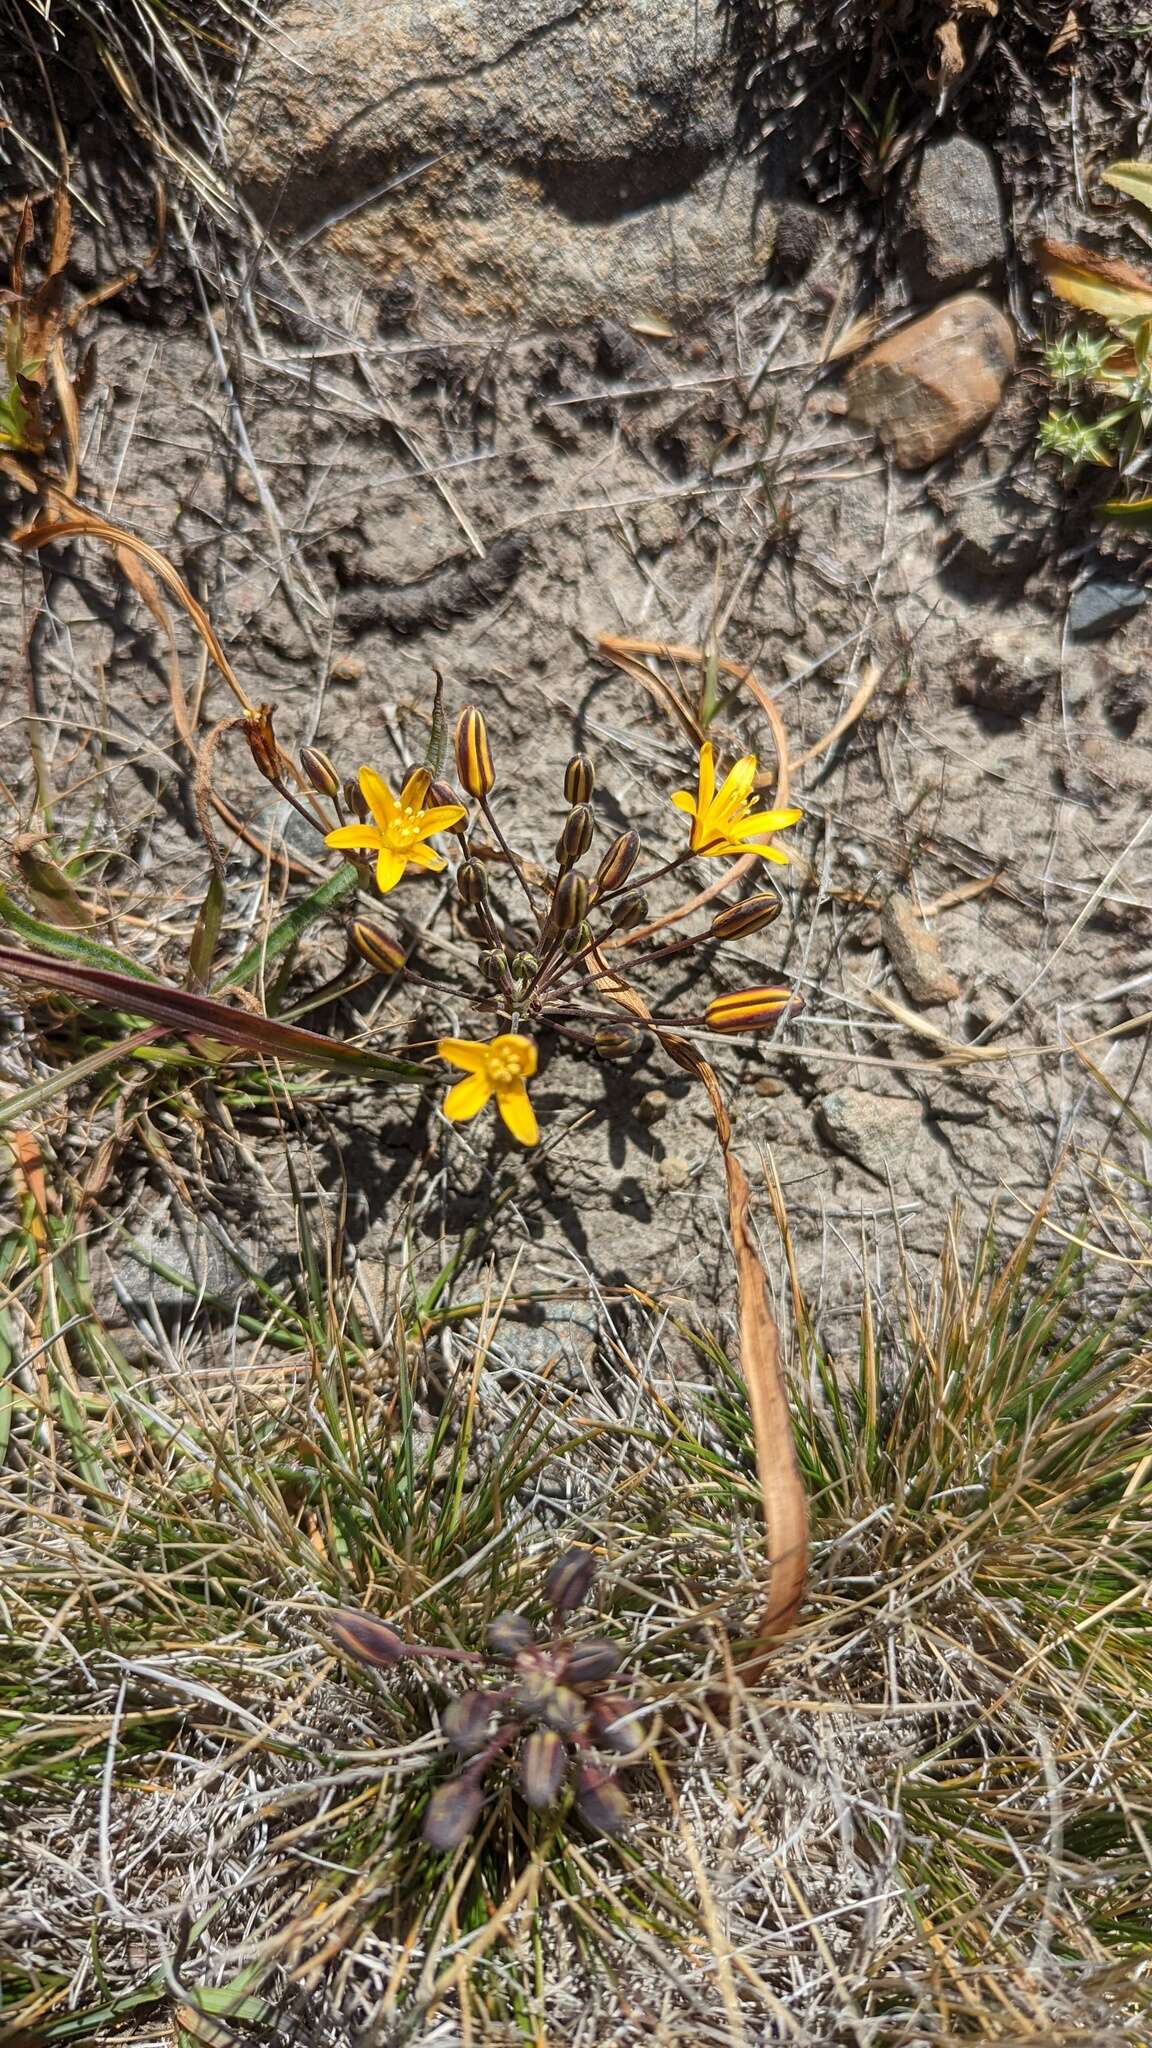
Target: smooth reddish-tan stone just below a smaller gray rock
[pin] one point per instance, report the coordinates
(936, 382)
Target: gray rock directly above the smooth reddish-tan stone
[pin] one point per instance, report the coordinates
(954, 216)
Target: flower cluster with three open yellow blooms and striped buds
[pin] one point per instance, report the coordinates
(542, 966)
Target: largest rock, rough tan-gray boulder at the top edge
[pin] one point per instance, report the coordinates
(567, 159)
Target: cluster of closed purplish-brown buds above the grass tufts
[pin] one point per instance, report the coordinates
(550, 1717)
